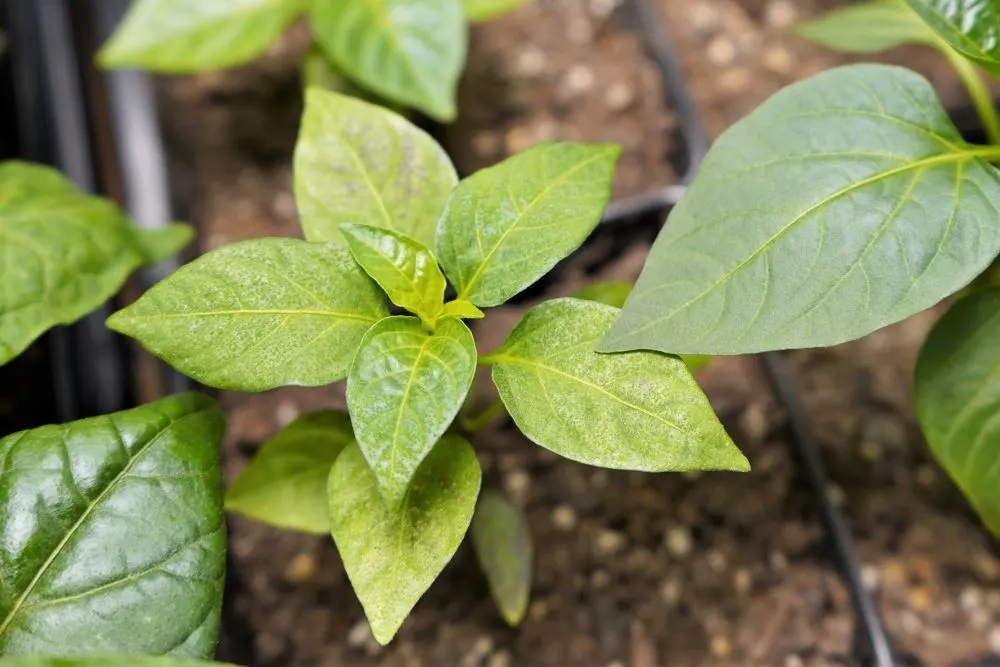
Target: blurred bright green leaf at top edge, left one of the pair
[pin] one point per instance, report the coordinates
(185, 36)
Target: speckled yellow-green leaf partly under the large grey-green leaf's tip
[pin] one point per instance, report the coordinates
(636, 411)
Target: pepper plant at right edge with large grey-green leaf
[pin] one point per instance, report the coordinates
(845, 203)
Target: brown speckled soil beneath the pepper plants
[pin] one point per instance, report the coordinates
(632, 570)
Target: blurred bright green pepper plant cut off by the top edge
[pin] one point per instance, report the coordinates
(410, 52)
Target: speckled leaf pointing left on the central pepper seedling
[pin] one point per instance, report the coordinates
(258, 314)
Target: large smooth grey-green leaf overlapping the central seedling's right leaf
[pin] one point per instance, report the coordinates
(845, 203)
